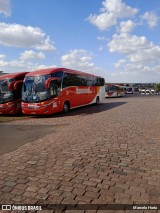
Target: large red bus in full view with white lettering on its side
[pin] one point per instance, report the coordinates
(53, 90)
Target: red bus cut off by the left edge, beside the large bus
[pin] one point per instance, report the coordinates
(10, 92)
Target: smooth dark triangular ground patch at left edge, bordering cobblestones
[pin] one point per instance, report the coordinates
(13, 136)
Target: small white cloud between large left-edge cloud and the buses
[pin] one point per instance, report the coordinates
(29, 55)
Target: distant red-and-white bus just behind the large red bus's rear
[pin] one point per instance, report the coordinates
(112, 90)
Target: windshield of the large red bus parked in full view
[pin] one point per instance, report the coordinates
(34, 89)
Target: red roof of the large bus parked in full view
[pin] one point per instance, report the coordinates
(52, 70)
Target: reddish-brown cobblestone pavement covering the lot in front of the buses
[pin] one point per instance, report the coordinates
(102, 154)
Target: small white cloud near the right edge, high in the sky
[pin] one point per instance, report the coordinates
(151, 18)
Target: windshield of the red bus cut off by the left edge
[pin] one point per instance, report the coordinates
(5, 94)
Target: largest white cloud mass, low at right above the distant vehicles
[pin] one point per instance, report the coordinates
(141, 58)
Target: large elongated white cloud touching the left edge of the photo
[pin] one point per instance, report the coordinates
(21, 36)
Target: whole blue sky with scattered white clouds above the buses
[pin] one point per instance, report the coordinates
(116, 39)
